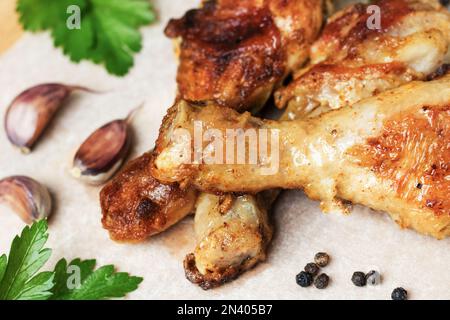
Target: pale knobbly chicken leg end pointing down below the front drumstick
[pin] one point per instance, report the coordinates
(232, 235)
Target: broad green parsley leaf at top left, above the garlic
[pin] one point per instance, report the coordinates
(109, 28)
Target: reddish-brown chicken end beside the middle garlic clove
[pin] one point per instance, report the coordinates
(136, 206)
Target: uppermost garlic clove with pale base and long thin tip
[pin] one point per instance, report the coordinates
(32, 110)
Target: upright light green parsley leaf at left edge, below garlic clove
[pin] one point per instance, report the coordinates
(26, 257)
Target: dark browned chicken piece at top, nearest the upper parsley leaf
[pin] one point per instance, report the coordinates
(234, 53)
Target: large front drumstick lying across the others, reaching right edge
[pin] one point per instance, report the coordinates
(389, 152)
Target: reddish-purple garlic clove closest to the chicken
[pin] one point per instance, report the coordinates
(102, 153)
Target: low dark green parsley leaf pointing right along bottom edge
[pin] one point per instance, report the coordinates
(102, 283)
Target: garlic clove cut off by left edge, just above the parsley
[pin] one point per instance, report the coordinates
(27, 197)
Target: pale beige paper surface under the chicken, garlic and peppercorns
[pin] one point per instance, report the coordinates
(362, 241)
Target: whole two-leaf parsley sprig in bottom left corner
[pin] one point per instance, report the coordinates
(20, 280)
